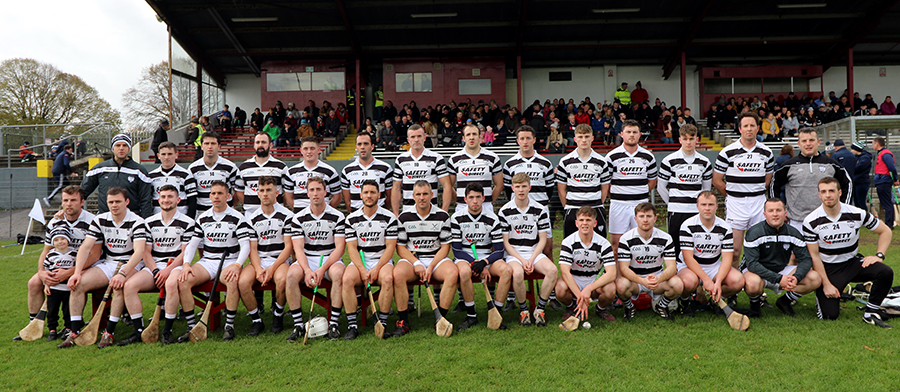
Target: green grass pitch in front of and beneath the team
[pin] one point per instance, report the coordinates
(649, 353)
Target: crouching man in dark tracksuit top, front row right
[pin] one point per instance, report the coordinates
(768, 247)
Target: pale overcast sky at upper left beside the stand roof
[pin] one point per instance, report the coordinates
(105, 42)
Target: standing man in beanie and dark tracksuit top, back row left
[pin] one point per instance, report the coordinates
(124, 172)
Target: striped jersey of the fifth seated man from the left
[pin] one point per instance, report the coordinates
(270, 231)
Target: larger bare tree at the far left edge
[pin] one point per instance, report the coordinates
(32, 92)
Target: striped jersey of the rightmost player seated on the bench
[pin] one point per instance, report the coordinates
(524, 225)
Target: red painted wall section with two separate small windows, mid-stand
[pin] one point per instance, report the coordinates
(445, 81)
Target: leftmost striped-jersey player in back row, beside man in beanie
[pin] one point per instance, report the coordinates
(172, 173)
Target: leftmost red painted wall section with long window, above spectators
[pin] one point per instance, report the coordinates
(300, 98)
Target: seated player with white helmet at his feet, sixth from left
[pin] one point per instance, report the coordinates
(317, 233)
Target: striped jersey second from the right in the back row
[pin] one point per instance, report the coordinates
(684, 177)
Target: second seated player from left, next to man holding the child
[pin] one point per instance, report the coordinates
(123, 235)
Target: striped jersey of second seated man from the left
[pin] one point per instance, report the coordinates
(118, 239)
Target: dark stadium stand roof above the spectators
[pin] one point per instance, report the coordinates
(236, 36)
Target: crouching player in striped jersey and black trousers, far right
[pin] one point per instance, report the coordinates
(832, 235)
